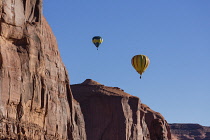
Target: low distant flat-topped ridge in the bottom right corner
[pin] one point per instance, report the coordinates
(190, 132)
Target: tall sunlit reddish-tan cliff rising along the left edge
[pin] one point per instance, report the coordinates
(35, 96)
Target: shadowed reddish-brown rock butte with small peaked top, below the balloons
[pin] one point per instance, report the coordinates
(112, 114)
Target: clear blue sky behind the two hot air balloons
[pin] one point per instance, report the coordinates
(174, 34)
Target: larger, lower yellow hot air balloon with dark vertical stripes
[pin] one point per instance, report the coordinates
(140, 63)
